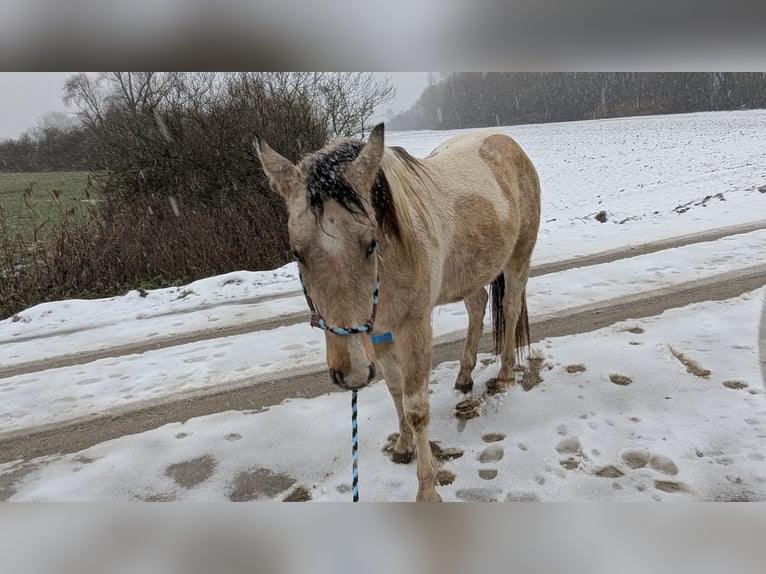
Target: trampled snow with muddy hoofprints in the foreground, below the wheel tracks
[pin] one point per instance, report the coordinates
(668, 435)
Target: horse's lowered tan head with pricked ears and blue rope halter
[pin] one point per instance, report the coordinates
(333, 233)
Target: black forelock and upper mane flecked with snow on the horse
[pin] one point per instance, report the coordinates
(326, 180)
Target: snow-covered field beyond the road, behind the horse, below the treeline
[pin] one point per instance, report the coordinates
(638, 170)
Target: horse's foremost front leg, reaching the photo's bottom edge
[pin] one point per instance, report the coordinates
(414, 348)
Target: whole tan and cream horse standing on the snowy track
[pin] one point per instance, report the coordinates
(428, 232)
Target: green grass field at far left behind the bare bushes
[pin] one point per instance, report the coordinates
(35, 201)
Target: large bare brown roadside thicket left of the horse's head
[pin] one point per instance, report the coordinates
(183, 195)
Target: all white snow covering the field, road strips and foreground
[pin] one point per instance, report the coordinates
(668, 434)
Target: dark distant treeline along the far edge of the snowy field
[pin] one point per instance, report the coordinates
(471, 99)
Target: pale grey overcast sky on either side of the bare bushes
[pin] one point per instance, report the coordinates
(26, 97)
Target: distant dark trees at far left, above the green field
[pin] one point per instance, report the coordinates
(48, 149)
